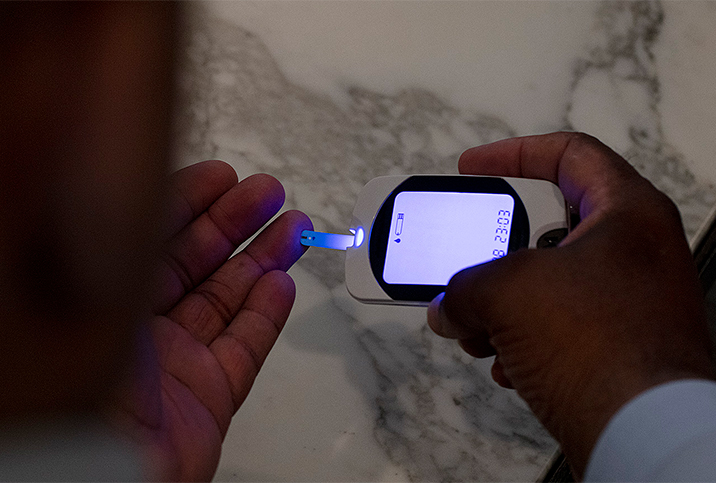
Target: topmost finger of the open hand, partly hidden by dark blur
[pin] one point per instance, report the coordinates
(195, 188)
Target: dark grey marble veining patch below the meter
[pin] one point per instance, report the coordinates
(420, 386)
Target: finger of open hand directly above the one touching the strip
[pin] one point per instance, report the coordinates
(206, 243)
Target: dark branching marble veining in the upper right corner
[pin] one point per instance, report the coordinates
(619, 71)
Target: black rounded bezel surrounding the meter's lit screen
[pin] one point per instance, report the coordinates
(380, 231)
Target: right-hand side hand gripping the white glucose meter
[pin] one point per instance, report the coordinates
(580, 329)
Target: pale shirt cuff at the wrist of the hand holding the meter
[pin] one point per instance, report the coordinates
(667, 433)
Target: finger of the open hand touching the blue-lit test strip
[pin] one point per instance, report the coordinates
(206, 311)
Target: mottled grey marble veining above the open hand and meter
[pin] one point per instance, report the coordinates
(322, 152)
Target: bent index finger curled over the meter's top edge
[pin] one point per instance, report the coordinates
(588, 173)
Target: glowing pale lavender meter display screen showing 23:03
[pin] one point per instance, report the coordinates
(435, 234)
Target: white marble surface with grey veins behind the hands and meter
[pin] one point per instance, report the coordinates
(325, 96)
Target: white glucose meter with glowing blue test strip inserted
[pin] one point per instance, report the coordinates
(411, 234)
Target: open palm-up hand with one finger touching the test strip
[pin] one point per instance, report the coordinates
(216, 319)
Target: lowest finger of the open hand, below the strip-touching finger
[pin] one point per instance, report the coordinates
(243, 347)
